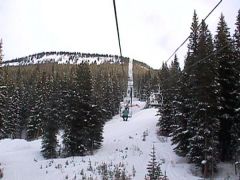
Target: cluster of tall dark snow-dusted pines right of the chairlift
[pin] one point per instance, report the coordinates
(201, 107)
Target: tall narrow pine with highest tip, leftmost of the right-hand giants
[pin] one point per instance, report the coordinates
(187, 101)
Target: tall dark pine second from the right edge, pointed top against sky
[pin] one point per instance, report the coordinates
(228, 81)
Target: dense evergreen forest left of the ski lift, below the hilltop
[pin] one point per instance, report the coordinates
(42, 100)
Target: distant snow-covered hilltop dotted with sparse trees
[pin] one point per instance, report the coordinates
(63, 57)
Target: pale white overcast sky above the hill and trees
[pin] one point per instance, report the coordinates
(150, 30)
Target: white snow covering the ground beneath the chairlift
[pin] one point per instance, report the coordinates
(123, 144)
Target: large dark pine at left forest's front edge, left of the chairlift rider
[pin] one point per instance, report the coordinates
(83, 132)
